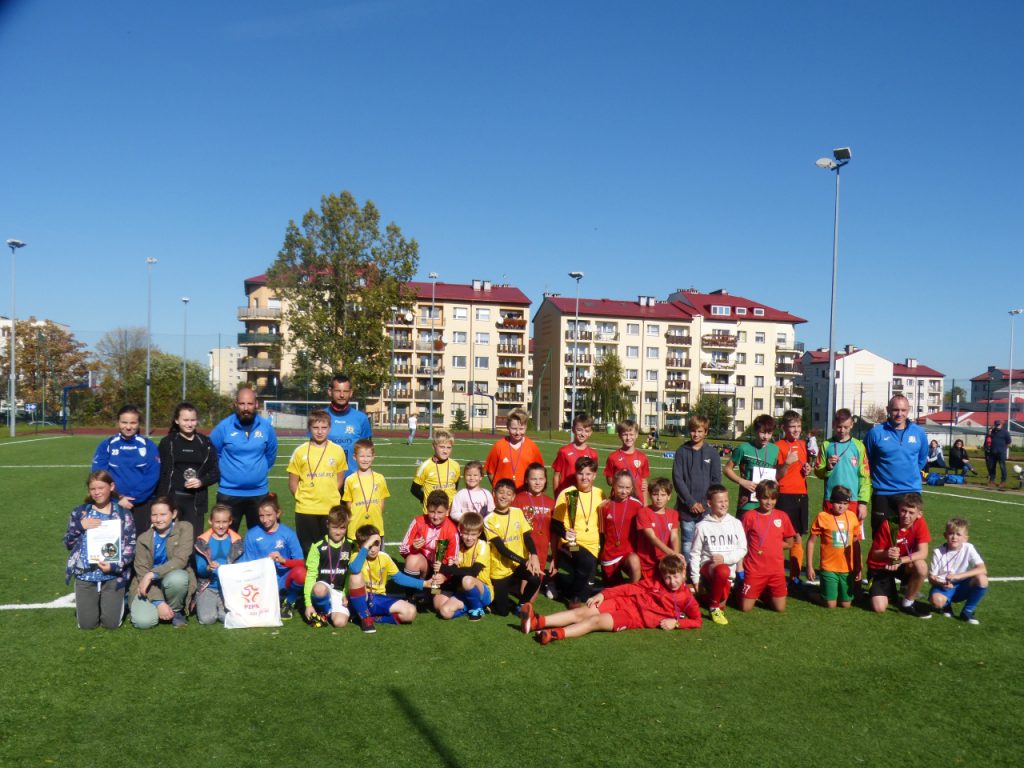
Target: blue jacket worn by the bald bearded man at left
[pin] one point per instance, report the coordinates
(246, 455)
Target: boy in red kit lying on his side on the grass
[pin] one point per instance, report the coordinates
(658, 603)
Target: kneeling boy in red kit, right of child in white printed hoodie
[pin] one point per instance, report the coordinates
(769, 533)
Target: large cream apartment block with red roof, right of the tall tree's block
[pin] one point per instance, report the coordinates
(673, 352)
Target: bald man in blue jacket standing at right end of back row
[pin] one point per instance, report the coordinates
(898, 452)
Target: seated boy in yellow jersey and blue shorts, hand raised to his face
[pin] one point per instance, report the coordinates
(369, 574)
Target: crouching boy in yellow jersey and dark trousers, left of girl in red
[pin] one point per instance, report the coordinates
(515, 565)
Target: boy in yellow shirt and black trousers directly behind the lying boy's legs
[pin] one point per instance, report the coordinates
(578, 522)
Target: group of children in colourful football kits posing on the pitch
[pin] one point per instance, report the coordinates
(474, 550)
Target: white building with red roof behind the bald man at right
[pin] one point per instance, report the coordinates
(866, 382)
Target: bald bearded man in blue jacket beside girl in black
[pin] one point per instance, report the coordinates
(247, 447)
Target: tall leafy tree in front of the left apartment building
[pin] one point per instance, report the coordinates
(342, 278)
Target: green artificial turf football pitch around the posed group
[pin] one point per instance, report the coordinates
(843, 688)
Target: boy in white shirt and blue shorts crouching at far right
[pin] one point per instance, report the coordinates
(958, 574)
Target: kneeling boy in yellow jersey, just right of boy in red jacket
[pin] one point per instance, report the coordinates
(467, 583)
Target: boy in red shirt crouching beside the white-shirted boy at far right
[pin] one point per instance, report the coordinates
(901, 551)
